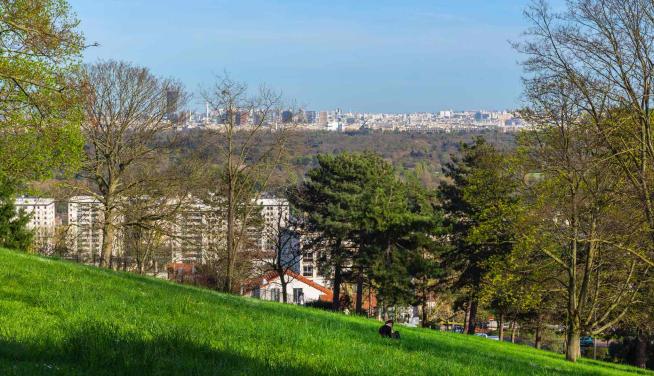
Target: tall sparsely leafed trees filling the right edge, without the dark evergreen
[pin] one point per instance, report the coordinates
(589, 82)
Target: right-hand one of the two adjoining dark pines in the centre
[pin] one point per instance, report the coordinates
(400, 231)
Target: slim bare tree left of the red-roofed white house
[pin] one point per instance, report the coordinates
(248, 144)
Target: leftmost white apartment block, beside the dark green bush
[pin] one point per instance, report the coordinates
(42, 219)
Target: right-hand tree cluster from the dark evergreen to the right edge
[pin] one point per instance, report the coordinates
(566, 220)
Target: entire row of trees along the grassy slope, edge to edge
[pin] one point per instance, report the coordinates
(566, 220)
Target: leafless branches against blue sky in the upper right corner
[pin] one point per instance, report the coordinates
(603, 51)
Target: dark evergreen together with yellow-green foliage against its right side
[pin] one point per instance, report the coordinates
(482, 210)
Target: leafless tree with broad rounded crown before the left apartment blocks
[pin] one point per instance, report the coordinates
(129, 118)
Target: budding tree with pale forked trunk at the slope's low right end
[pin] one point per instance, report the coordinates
(578, 213)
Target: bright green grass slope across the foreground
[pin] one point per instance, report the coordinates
(59, 318)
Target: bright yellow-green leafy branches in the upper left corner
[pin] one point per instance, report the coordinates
(40, 110)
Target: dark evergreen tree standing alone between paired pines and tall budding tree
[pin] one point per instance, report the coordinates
(479, 203)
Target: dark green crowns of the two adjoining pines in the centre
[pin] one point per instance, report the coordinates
(383, 226)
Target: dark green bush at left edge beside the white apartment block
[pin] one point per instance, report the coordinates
(13, 226)
